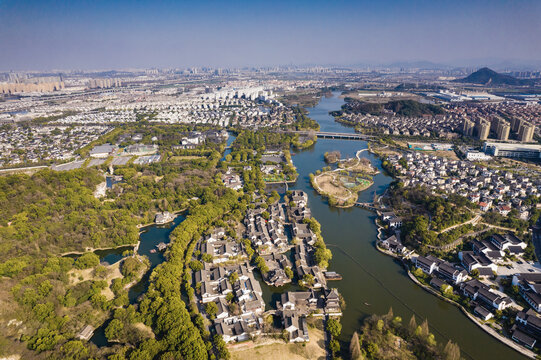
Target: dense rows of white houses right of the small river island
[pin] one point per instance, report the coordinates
(480, 185)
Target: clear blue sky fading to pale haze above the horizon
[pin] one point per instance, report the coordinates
(97, 35)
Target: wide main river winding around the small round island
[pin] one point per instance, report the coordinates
(373, 282)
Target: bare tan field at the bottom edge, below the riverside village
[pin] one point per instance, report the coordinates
(314, 349)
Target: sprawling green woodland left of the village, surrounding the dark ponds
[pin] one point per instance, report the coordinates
(54, 297)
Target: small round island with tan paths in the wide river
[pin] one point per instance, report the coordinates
(342, 184)
